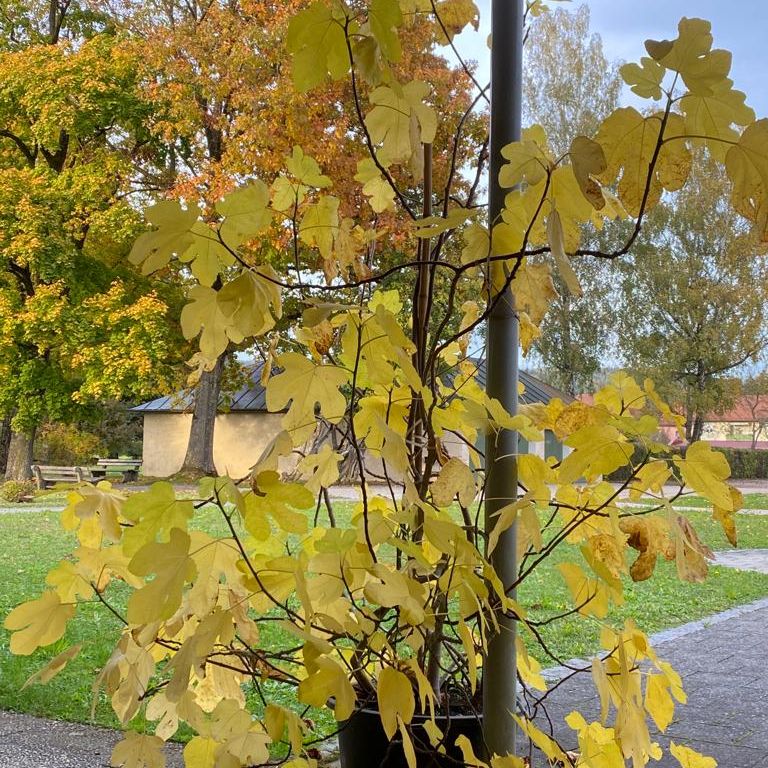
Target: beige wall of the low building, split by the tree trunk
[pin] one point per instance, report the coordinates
(239, 440)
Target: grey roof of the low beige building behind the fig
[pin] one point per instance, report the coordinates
(252, 397)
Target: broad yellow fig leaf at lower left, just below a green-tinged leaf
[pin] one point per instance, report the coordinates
(171, 563)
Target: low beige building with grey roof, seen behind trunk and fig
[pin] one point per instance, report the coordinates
(244, 428)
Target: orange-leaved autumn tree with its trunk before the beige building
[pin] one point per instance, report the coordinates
(229, 112)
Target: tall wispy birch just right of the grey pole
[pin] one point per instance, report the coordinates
(569, 87)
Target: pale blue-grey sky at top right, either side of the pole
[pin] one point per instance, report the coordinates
(738, 25)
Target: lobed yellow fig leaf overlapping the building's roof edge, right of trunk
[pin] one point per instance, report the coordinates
(304, 385)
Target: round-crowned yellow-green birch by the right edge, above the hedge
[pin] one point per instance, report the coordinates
(693, 308)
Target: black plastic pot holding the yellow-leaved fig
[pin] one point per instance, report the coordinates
(363, 743)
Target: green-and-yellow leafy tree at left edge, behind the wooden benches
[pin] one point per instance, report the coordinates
(70, 121)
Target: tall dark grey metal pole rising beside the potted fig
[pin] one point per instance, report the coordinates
(500, 667)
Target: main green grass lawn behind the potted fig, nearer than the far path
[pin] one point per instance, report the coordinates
(32, 542)
